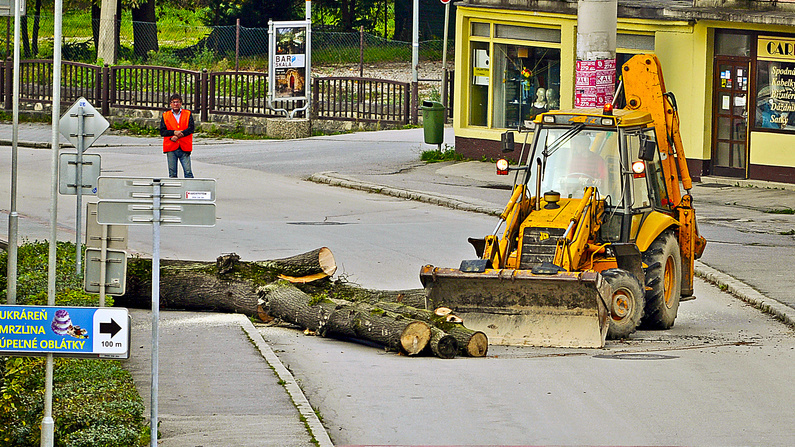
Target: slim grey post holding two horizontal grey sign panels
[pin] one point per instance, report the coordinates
(155, 306)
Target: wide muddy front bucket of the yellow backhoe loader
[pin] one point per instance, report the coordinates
(519, 308)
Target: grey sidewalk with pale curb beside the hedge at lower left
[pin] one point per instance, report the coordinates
(220, 384)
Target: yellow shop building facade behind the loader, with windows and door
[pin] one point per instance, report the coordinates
(732, 73)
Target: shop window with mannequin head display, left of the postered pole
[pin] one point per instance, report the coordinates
(529, 83)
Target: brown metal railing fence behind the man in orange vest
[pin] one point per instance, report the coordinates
(223, 93)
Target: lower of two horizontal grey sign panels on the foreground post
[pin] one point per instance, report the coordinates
(128, 212)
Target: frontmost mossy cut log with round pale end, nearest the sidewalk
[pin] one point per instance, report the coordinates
(343, 318)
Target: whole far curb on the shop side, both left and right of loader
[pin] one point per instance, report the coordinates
(725, 282)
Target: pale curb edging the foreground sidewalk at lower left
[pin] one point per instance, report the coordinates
(316, 429)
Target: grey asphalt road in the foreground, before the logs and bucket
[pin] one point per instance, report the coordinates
(719, 377)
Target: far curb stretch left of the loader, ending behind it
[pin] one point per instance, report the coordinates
(334, 179)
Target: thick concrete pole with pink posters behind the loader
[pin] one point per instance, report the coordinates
(596, 52)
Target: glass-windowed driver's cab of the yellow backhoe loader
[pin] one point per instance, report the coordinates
(629, 181)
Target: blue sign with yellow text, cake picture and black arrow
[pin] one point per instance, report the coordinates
(90, 332)
